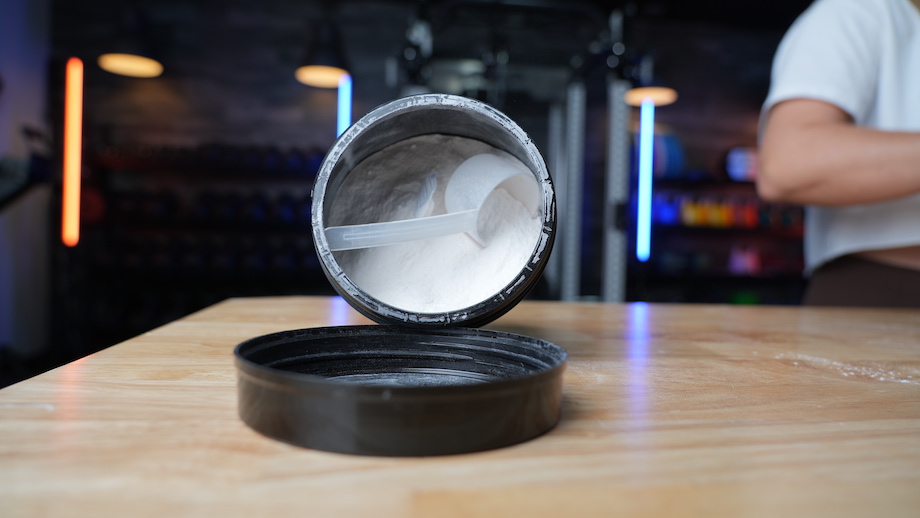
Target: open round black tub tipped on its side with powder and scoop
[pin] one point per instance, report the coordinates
(433, 210)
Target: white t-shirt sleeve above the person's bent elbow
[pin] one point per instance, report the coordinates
(830, 53)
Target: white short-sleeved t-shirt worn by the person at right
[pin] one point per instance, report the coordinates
(864, 57)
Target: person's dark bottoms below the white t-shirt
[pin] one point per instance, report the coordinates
(854, 281)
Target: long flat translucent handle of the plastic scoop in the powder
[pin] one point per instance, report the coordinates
(369, 235)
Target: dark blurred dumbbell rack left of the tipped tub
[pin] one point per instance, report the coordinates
(169, 231)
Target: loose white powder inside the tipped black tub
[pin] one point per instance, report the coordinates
(447, 273)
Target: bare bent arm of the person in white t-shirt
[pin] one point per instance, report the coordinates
(812, 153)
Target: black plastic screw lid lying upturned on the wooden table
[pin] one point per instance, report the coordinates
(393, 391)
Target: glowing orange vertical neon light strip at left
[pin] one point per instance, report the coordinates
(73, 148)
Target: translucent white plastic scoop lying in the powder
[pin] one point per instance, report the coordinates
(465, 193)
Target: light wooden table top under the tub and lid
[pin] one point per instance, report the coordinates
(669, 410)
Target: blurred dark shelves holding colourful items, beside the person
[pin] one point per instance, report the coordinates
(715, 241)
